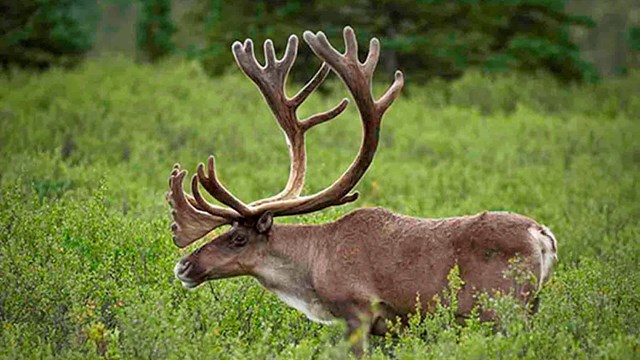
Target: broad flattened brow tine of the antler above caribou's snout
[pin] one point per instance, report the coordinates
(189, 223)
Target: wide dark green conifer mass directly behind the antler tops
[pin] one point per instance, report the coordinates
(428, 38)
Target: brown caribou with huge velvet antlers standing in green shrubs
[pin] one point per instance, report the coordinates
(338, 270)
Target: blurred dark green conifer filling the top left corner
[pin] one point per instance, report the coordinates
(42, 33)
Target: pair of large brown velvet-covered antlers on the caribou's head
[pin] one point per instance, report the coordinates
(194, 217)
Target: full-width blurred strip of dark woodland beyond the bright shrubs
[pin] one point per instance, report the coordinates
(428, 38)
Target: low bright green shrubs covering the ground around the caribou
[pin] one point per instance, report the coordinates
(86, 255)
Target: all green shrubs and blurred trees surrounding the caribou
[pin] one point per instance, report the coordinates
(529, 106)
